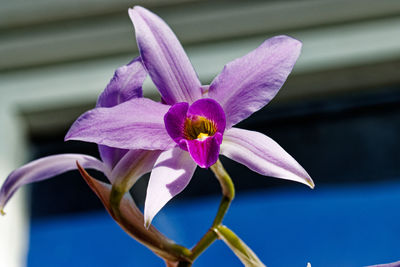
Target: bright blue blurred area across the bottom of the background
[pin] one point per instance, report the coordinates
(353, 225)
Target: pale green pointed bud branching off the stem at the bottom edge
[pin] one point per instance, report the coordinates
(241, 250)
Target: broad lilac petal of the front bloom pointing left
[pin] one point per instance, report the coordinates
(135, 124)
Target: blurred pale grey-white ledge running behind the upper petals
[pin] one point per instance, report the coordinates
(323, 49)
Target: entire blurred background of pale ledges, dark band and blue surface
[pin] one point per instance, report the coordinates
(338, 115)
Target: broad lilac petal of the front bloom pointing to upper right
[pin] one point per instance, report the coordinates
(248, 83)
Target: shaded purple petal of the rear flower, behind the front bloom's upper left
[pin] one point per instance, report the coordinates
(125, 85)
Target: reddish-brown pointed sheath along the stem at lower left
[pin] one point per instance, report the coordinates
(130, 218)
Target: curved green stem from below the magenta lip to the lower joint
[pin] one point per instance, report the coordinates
(228, 193)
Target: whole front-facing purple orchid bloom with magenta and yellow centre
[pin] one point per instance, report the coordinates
(194, 123)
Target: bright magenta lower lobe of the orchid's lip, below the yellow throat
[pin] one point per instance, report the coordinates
(205, 152)
